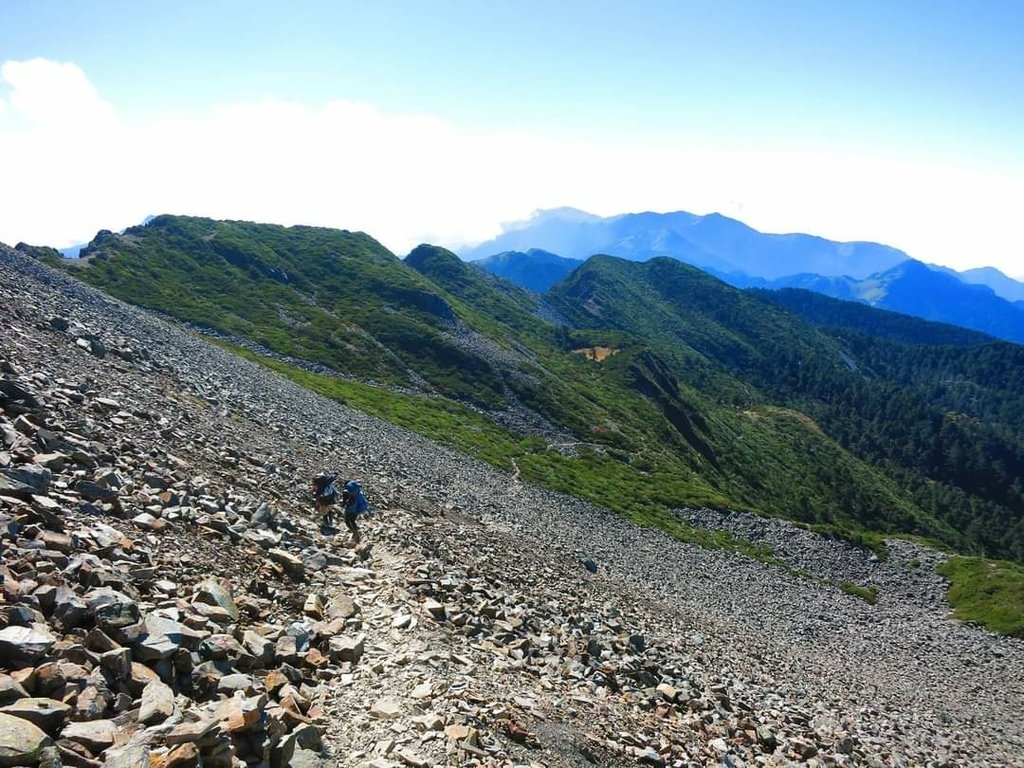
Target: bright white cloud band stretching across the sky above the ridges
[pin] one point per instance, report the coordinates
(80, 166)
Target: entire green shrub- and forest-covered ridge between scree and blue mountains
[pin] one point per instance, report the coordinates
(666, 389)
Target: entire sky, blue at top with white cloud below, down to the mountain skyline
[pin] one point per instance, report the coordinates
(901, 123)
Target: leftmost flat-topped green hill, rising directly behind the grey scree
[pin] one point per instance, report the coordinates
(332, 296)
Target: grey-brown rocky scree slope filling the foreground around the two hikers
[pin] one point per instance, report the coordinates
(169, 600)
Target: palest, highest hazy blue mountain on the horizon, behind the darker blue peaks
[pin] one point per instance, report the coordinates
(713, 242)
